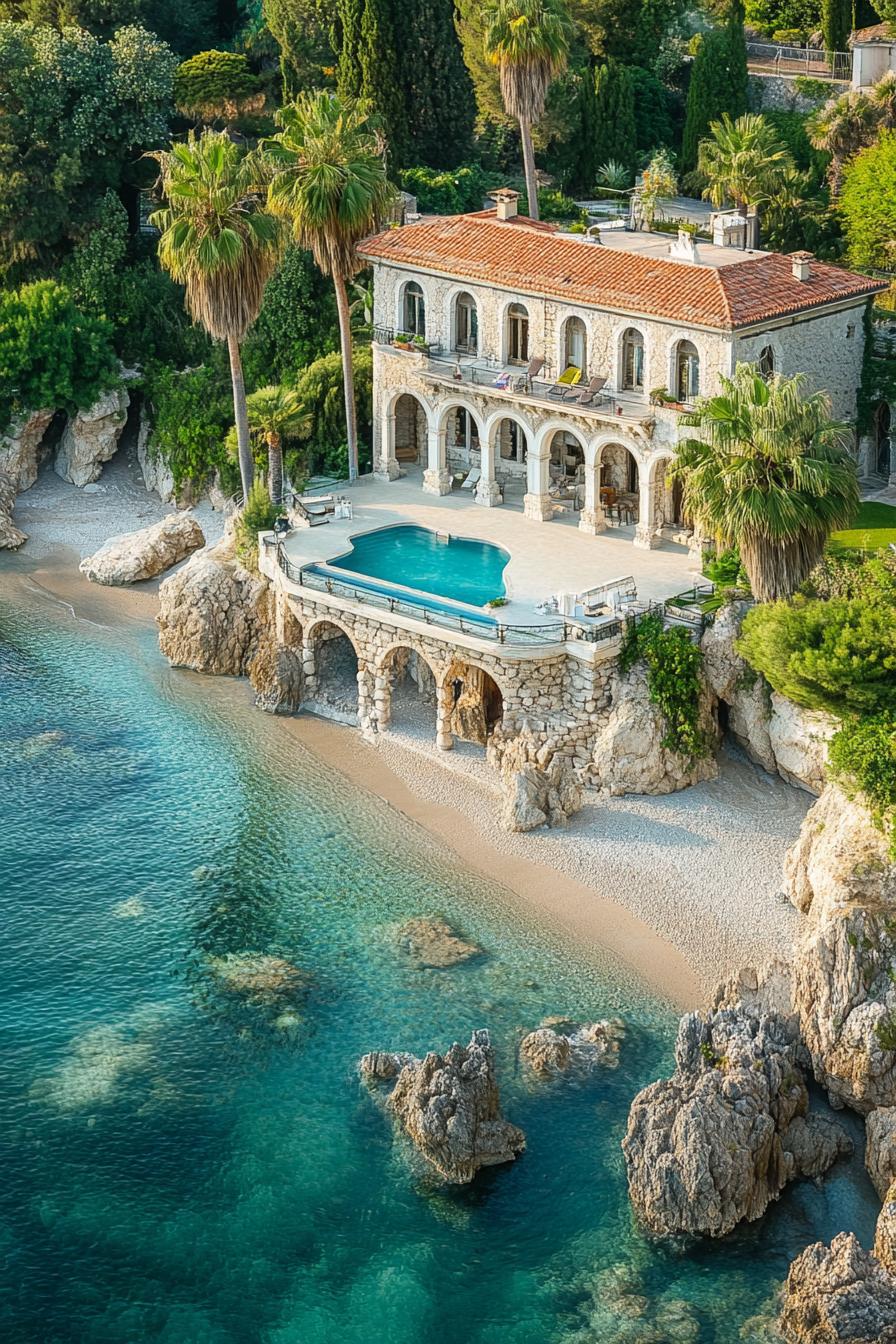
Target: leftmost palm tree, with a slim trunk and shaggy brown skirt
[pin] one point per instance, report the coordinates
(222, 245)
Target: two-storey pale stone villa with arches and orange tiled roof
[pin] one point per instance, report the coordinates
(479, 318)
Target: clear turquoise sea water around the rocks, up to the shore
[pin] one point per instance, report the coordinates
(187, 1169)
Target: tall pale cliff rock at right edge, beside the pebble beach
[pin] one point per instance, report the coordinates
(840, 873)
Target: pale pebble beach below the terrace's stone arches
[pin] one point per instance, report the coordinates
(702, 868)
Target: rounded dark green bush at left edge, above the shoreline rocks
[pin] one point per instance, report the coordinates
(52, 353)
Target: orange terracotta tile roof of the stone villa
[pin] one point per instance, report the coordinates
(519, 257)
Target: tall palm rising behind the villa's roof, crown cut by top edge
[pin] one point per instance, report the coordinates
(529, 41)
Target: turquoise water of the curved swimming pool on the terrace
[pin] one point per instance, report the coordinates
(416, 557)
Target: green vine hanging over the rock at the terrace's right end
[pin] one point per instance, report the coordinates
(674, 665)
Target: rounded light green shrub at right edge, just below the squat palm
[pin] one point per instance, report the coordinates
(838, 655)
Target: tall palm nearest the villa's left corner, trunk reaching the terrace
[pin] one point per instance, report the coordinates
(328, 179)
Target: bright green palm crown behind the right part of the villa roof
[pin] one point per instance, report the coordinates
(744, 162)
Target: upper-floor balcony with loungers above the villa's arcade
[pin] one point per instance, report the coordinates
(512, 384)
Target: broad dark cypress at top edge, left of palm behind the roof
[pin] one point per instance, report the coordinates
(439, 91)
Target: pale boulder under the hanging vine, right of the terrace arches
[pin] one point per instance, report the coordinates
(629, 756)
